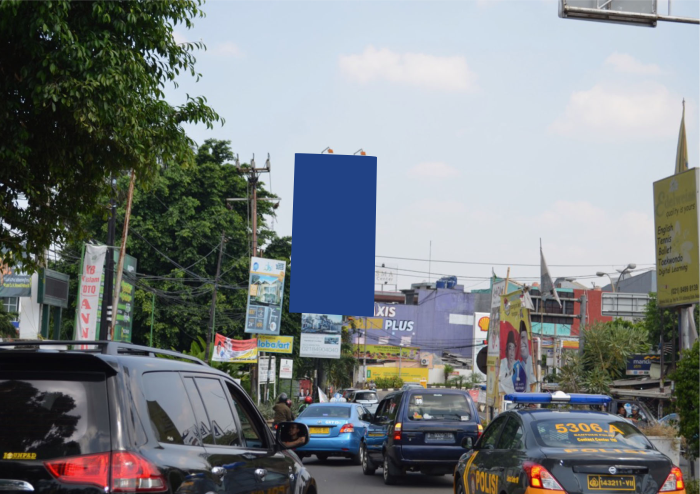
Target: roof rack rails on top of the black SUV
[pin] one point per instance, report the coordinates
(102, 347)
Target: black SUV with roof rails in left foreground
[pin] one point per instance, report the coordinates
(115, 418)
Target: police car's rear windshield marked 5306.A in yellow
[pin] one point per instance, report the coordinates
(600, 432)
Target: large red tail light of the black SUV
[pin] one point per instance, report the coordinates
(130, 472)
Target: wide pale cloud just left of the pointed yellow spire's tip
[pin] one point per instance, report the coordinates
(613, 112)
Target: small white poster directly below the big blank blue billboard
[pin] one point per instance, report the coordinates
(321, 335)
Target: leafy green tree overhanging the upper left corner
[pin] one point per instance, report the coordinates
(82, 86)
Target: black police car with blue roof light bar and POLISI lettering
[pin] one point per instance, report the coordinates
(529, 450)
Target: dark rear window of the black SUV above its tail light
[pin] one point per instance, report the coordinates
(54, 416)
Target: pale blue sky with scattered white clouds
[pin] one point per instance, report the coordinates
(495, 123)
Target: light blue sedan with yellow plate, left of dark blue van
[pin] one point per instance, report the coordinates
(335, 429)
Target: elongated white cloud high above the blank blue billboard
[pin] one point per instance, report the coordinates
(417, 69)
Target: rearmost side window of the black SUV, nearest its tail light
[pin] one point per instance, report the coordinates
(169, 409)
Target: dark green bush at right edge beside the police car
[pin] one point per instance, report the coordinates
(687, 394)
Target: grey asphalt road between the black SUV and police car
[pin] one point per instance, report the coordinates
(340, 476)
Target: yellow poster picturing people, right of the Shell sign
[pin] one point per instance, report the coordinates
(516, 367)
